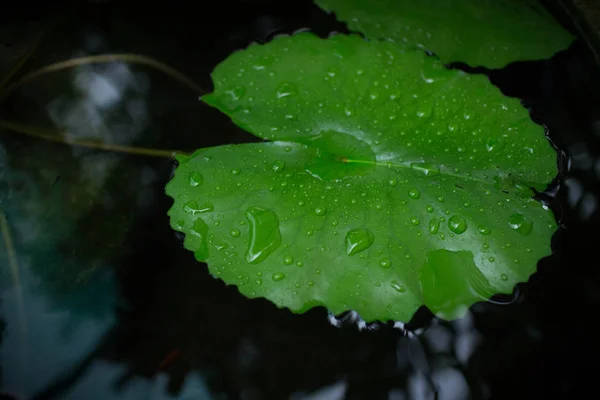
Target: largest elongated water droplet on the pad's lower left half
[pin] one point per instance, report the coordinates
(265, 236)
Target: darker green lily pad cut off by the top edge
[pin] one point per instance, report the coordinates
(479, 33)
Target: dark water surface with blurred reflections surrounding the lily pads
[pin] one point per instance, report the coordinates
(112, 306)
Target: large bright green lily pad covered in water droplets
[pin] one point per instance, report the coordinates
(390, 182)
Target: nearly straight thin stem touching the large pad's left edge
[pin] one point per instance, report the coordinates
(65, 139)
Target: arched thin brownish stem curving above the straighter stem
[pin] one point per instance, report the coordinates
(103, 59)
